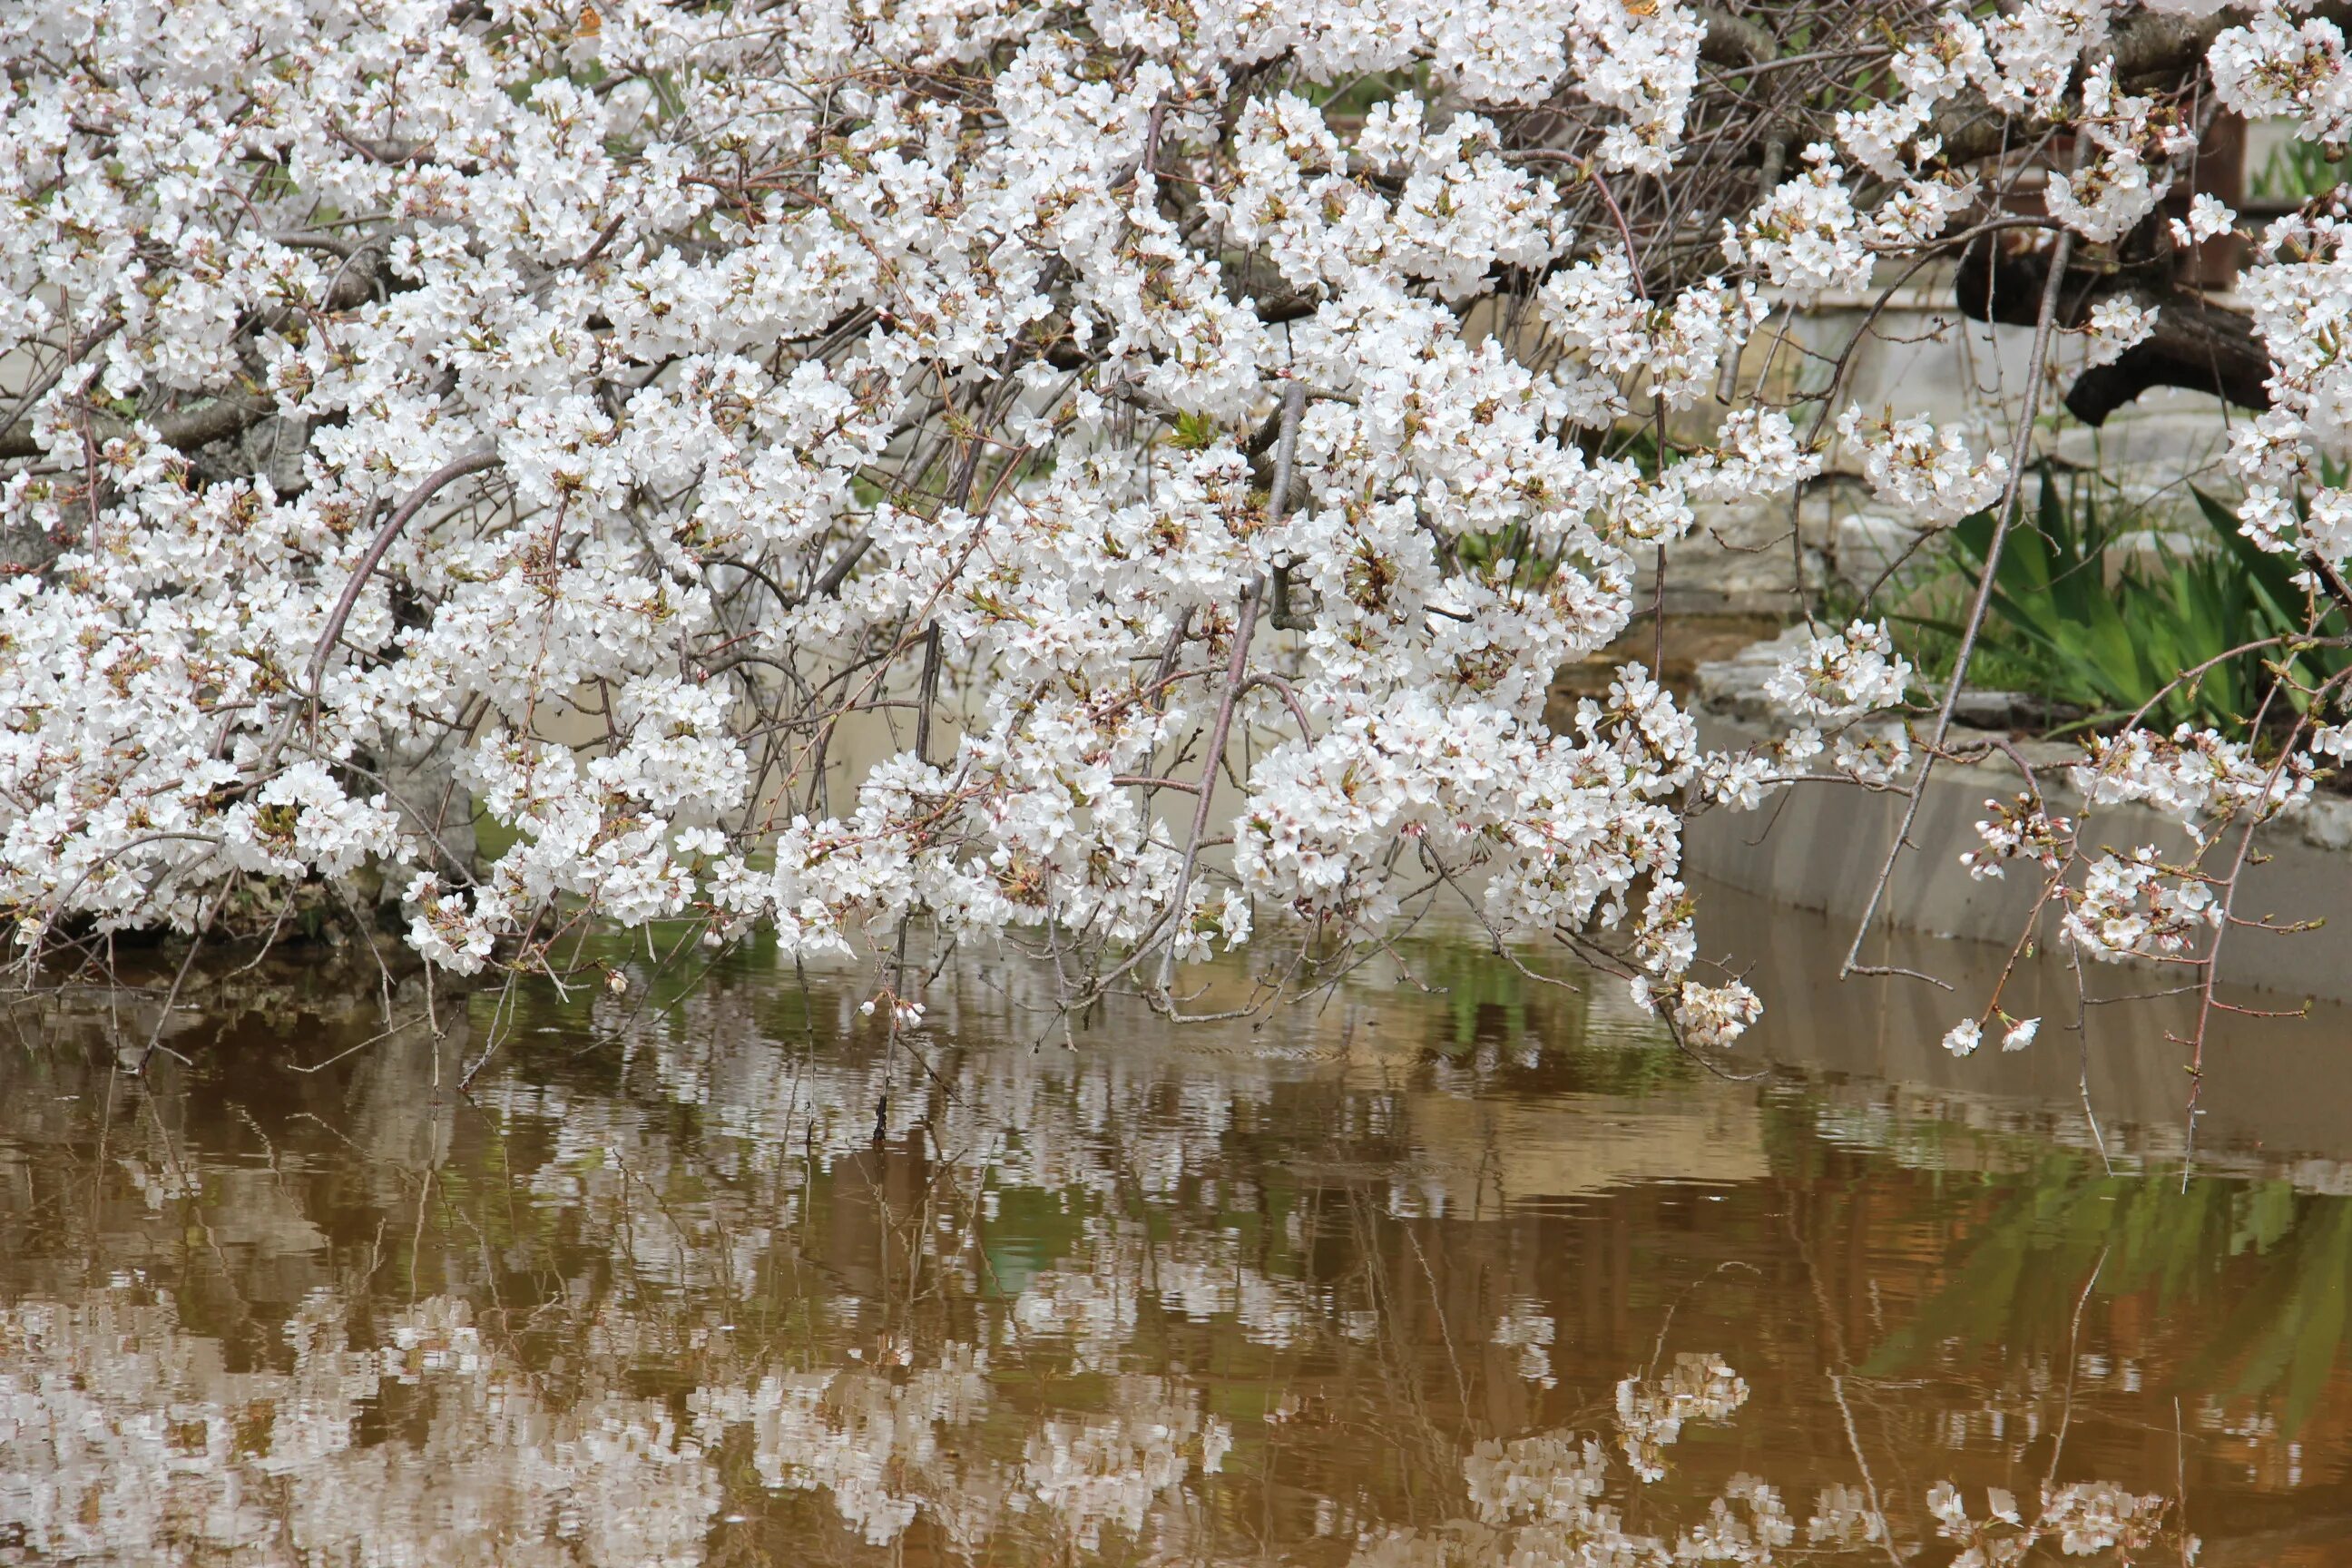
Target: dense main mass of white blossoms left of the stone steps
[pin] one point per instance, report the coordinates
(575, 422)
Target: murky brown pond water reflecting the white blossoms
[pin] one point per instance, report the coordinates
(1354, 1287)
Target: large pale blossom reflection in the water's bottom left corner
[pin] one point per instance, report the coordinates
(126, 1440)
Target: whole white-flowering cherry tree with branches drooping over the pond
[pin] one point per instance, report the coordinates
(1168, 445)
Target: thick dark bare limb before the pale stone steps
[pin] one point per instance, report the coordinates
(2196, 344)
